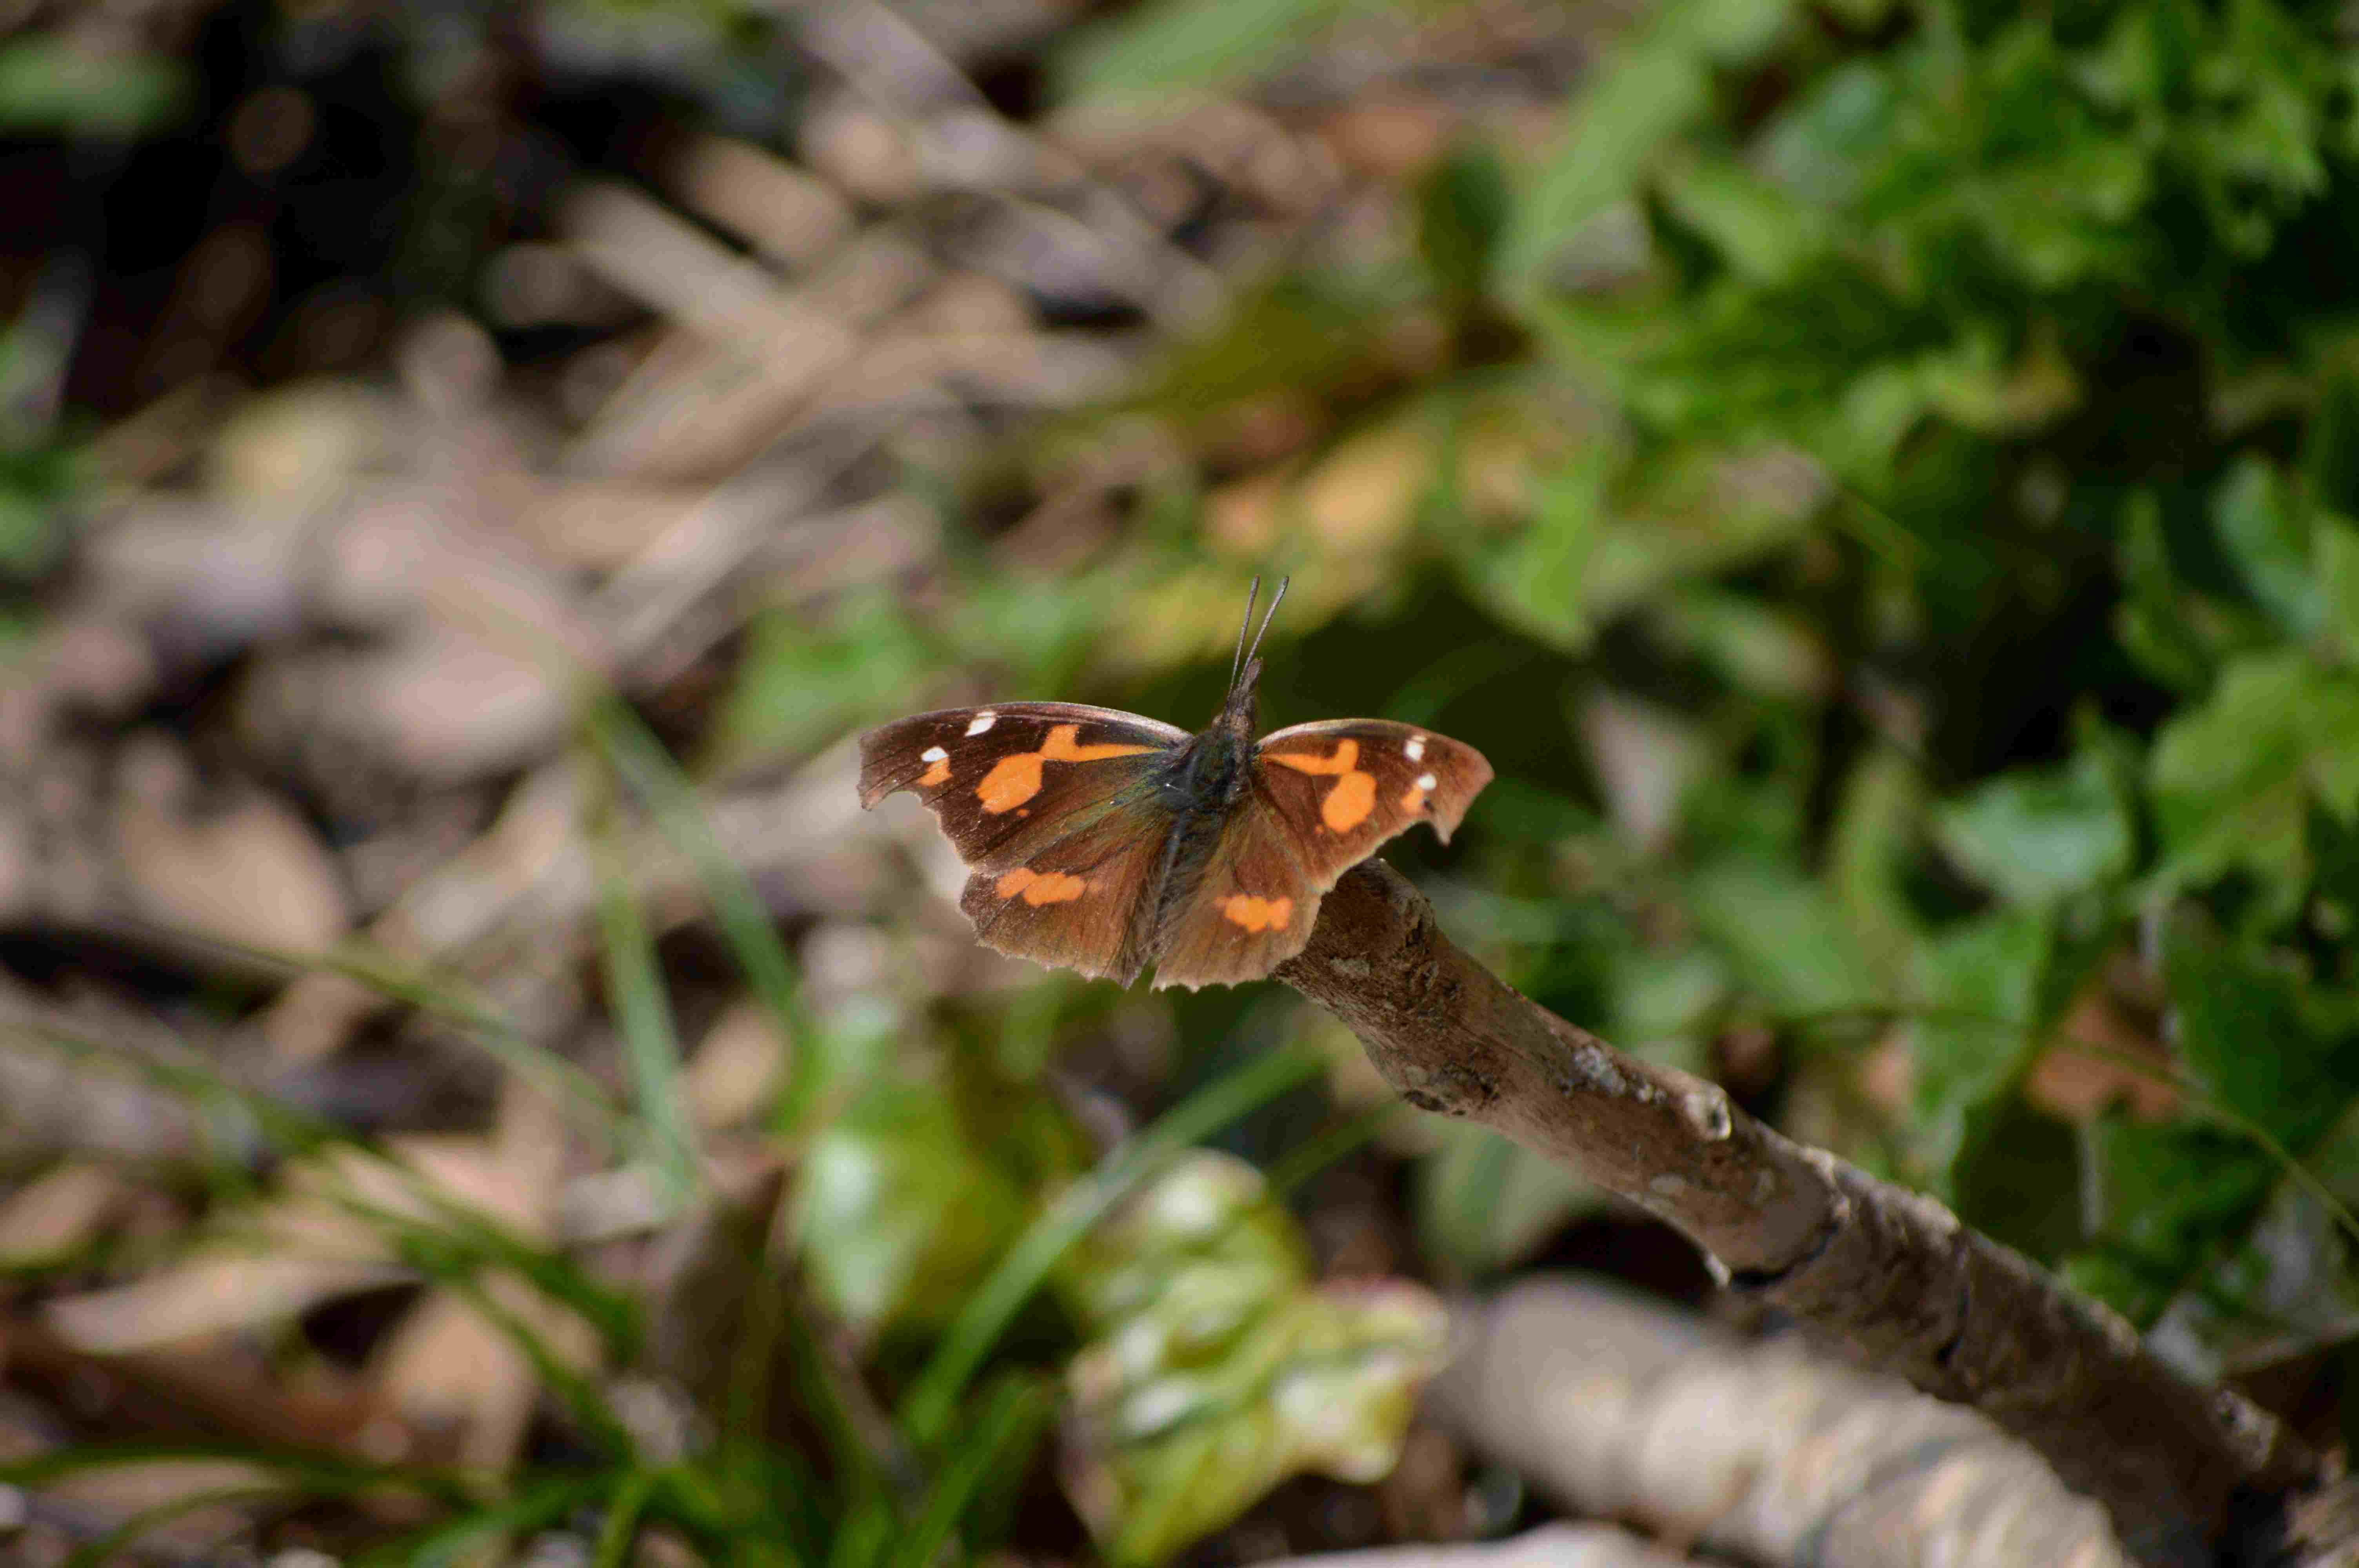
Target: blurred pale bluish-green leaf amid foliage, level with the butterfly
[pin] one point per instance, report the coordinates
(2042, 836)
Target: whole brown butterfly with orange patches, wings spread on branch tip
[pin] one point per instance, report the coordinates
(1105, 843)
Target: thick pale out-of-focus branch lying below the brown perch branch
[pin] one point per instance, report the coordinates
(1761, 1451)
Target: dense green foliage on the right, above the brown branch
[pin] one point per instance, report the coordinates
(2042, 301)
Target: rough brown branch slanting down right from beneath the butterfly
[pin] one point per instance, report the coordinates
(1884, 1272)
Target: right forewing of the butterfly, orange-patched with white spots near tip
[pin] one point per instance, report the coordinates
(1346, 786)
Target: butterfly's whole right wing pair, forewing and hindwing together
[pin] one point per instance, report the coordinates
(1325, 796)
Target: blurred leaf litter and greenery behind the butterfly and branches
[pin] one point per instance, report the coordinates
(1877, 477)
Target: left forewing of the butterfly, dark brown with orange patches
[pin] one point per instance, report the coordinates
(1013, 779)
